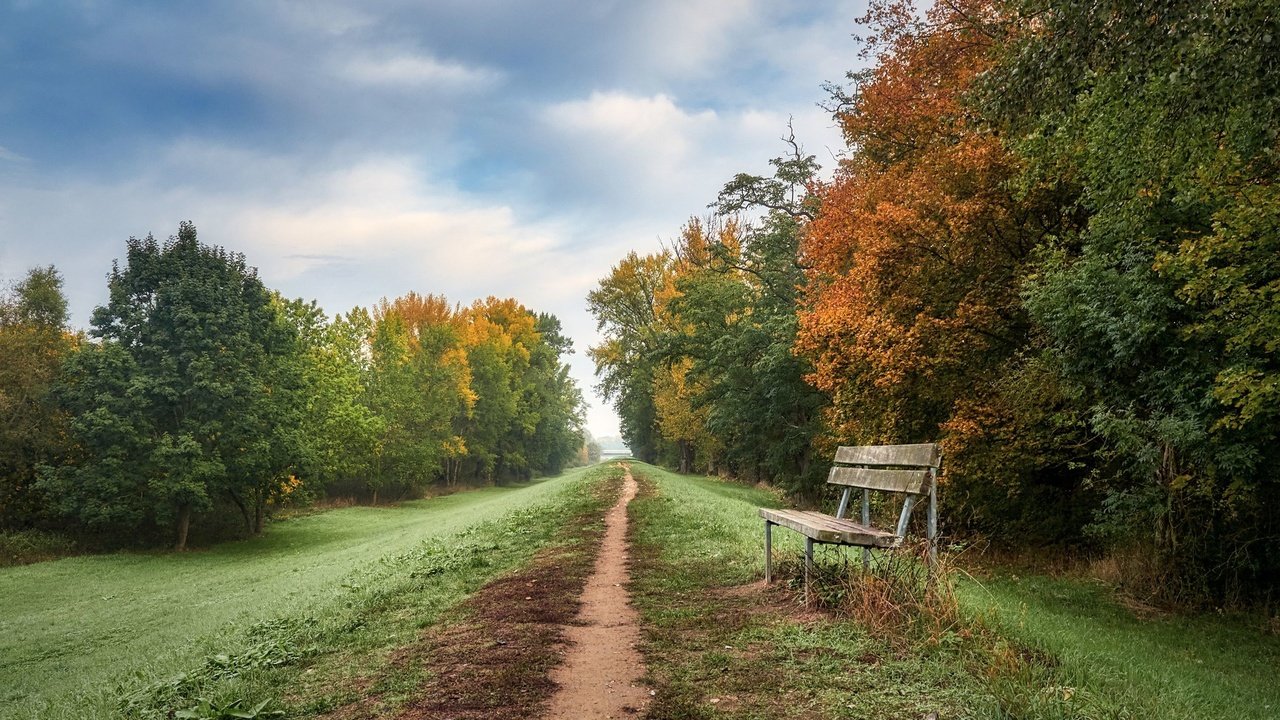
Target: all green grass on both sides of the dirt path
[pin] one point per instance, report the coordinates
(310, 618)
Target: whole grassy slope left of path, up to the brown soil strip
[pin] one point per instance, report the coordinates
(317, 607)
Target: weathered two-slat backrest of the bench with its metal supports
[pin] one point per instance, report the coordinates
(908, 470)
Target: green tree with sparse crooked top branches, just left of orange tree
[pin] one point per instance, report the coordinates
(740, 316)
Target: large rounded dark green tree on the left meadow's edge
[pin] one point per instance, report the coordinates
(175, 405)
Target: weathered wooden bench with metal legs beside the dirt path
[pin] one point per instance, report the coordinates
(911, 471)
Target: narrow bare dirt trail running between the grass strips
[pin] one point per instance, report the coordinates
(602, 669)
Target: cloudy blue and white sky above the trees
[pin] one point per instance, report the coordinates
(360, 151)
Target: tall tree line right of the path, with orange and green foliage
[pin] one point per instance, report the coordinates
(1053, 243)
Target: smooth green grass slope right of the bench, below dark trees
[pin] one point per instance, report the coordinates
(1188, 667)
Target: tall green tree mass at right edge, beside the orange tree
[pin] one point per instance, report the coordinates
(1160, 312)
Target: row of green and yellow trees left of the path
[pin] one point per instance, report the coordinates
(202, 397)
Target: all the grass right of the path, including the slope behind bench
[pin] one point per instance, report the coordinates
(1028, 649)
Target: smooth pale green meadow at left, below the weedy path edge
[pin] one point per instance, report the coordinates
(77, 634)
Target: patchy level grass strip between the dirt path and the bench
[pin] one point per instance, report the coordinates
(717, 650)
